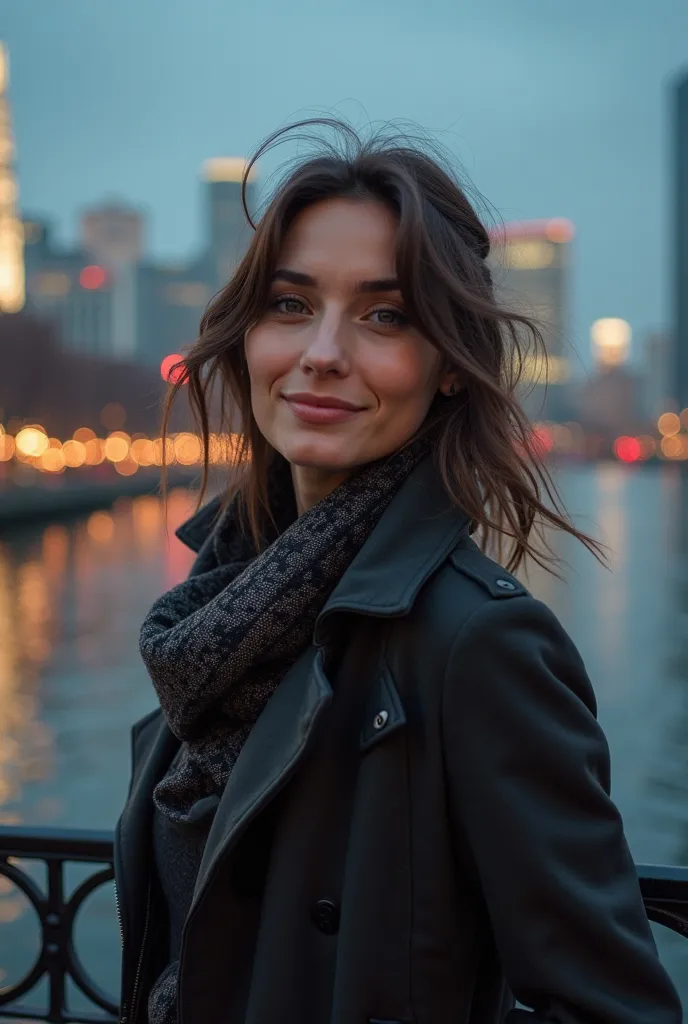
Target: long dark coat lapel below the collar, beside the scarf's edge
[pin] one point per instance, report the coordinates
(270, 757)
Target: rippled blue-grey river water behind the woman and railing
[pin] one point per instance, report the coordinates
(73, 595)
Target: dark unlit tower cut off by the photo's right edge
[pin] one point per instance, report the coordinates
(680, 262)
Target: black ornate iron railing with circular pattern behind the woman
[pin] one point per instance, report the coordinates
(665, 892)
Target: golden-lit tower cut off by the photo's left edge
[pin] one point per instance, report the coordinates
(12, 231)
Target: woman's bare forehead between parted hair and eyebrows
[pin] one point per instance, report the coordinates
(348, 239)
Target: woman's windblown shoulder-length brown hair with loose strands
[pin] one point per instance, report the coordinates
(483, 439)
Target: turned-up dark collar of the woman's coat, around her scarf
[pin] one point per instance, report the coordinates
(415, 535)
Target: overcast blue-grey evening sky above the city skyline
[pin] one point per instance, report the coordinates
(554, 108)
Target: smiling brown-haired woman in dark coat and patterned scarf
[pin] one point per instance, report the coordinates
(375, 792)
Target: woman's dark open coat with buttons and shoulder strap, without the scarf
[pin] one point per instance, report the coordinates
(419, 825)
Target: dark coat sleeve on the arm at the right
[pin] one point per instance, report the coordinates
(529, 777)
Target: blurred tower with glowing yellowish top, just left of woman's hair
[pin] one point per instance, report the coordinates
(228, 229)
